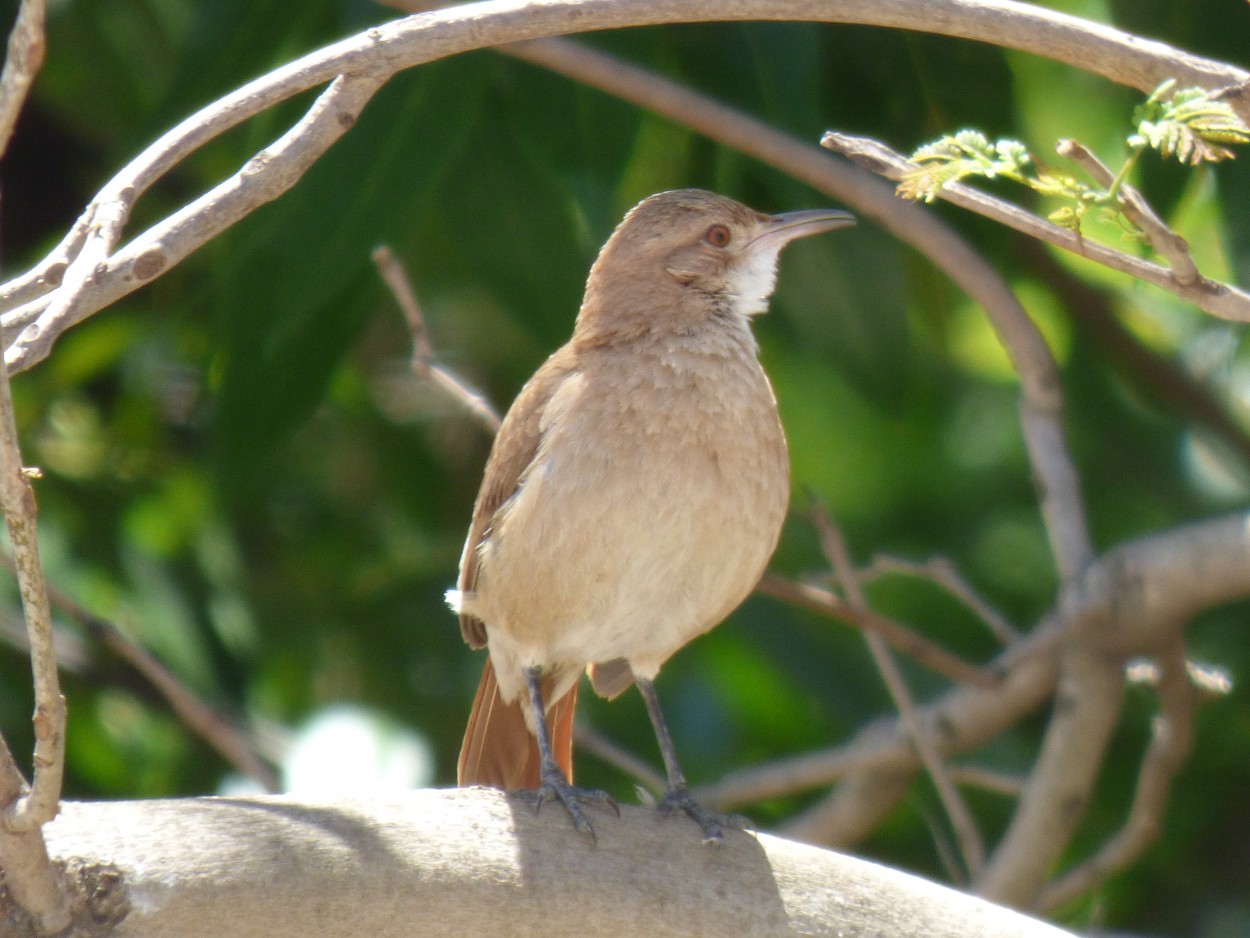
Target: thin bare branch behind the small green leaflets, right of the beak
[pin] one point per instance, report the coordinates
(1222, 301)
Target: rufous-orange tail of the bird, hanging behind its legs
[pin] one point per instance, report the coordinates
(499, 750)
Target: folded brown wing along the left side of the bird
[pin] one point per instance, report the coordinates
(511, 456)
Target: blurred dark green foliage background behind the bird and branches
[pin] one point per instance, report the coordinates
(242, 475)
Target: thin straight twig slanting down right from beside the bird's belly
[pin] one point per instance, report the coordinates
(972, 846)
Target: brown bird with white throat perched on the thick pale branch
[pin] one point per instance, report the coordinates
(634, 493)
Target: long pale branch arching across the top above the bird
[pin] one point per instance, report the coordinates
(384, 51)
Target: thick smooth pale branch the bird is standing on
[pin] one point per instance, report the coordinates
(477, 862)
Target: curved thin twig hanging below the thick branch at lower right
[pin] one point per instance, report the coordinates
(1171, 742)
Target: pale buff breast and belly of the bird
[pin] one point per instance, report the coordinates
(649, 512)
